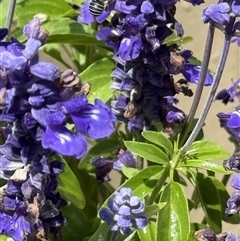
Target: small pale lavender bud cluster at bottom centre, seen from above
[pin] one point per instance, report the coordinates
(124, 212)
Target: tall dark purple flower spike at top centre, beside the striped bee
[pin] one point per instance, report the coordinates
(145, 65)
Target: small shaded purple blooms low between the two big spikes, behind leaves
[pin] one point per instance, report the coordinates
(104, 166)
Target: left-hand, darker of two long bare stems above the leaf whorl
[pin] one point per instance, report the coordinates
(204, 69)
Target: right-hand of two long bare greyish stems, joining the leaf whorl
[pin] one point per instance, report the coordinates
(211, 94)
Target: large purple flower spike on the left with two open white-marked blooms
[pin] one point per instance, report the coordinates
(37, 102)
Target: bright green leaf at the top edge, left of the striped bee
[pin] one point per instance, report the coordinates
(53, 9)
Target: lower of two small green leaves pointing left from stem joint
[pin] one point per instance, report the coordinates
(147, 151)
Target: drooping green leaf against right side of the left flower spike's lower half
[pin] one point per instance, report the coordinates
(69, 187)
